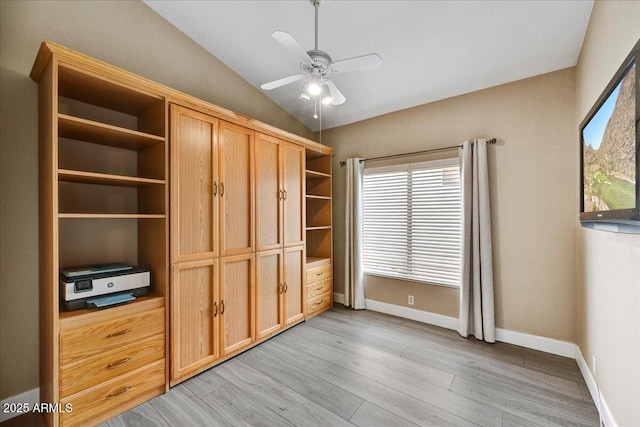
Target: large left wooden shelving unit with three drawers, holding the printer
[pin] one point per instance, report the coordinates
(103, 199)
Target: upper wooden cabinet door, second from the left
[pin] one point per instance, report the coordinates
(236, 189)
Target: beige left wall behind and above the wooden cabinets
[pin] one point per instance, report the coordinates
(124, 33)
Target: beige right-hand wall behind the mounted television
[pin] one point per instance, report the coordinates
(608, 264)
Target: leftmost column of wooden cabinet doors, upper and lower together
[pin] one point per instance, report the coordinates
(194, 242)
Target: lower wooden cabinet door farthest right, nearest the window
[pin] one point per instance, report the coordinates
(294, 284)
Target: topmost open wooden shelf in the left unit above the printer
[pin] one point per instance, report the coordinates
(99, 133)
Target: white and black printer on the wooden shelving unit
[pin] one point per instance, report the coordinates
(102, 285)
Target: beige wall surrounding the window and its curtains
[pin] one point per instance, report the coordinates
(533, 178)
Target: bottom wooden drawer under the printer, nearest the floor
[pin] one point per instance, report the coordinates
(114, 397)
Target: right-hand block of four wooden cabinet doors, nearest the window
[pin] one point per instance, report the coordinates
(280, 234)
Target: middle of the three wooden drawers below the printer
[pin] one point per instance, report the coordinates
(85, 373)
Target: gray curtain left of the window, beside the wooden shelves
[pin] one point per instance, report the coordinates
(354, 279)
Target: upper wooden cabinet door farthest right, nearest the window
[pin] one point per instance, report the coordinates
(294, 195)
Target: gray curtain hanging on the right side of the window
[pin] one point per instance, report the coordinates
(476, 290)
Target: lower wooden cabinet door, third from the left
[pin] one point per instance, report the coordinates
(269, 292)
